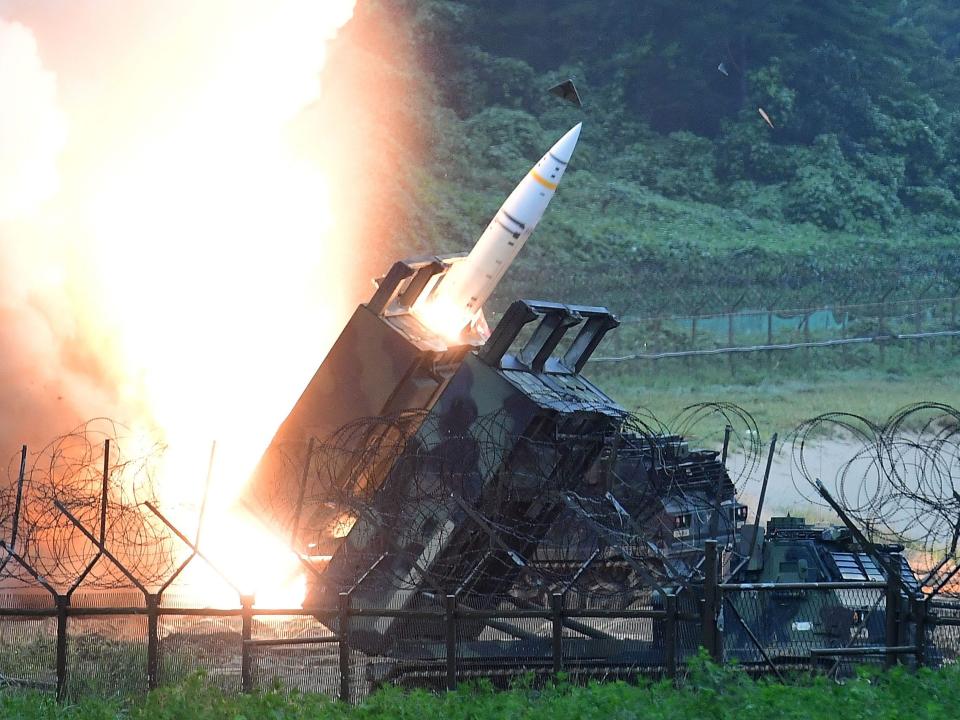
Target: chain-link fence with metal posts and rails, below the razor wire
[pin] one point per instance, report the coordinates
(105, 644)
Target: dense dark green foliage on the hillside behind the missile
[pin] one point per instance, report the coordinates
(678, 181)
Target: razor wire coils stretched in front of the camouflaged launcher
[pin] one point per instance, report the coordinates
(493, 506)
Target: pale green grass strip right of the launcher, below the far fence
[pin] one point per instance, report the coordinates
(781, 398)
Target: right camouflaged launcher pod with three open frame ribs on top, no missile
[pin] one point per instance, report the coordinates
(468, 501)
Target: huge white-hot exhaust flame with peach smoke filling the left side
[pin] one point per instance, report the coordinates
(179, 279)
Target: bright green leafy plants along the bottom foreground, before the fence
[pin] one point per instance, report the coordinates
(709, 692)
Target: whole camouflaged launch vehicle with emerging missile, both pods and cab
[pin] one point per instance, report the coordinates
(431, 467)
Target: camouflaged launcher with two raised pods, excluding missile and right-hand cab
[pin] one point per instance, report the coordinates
(414, 467)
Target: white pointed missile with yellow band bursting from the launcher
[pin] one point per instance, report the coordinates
(458, 298)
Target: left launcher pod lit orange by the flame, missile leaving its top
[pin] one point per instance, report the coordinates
(384, 363)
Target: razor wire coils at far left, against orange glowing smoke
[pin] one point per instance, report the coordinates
(70, 472)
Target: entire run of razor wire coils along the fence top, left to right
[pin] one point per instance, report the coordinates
(503, 506)
